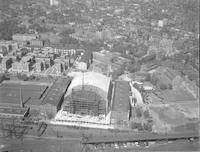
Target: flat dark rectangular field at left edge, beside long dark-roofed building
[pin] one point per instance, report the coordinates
(31, 92)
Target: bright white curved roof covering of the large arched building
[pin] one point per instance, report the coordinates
(90, 79)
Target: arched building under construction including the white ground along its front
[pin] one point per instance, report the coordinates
(87, 100)
